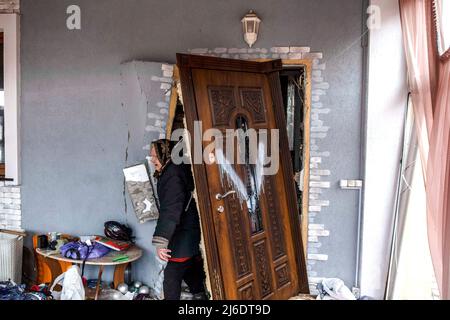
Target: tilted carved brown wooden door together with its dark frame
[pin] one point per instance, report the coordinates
(250, 221)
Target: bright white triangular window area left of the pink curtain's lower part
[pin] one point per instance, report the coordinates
(412, 278)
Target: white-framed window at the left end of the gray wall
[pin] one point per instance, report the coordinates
(9, 109)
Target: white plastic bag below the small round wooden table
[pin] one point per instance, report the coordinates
(72, 285)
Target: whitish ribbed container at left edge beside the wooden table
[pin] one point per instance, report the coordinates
(11, 248)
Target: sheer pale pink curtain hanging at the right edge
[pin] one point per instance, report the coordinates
(429, 82)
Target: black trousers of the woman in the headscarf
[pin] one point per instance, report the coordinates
(190, 271)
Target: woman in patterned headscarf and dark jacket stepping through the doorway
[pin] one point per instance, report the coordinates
(177, 233)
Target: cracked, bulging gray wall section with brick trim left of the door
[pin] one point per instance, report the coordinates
(145, 96)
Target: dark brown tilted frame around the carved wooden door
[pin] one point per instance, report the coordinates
(271, 68)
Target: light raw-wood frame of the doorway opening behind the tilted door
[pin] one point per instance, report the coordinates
(307, 64)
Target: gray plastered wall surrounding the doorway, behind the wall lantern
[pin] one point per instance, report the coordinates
(74, 128)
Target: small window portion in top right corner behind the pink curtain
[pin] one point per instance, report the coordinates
(442, 9)
